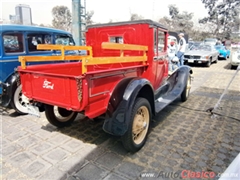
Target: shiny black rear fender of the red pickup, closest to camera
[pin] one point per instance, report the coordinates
(117, 121)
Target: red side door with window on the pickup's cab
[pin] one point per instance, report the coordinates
(160, 58)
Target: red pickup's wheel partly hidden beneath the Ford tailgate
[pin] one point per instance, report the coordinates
(64, 117)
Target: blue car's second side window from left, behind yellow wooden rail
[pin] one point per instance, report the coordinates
(34, 39)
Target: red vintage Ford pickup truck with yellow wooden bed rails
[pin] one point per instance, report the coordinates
(124, 76)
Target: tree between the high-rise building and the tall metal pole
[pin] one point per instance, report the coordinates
(61, 18)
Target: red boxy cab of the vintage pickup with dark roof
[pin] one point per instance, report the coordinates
(143, 32)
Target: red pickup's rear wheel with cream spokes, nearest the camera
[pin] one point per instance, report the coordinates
(138, 121)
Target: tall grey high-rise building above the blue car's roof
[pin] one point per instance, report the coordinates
(23, 14)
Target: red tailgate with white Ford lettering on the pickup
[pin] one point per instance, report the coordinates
(56, 90)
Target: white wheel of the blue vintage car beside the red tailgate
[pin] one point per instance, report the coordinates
(19, 101)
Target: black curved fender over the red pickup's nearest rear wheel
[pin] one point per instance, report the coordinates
(117, 122)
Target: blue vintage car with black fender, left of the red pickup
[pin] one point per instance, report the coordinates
(19, 40)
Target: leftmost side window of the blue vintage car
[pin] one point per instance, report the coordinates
(13, 43)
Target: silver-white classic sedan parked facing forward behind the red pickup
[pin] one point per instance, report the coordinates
(204, 54)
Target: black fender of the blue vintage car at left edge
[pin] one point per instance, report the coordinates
(8, 89)
